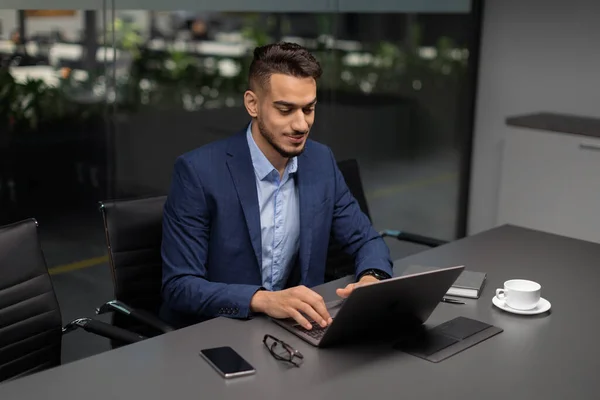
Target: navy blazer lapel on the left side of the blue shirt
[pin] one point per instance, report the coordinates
(242, 172)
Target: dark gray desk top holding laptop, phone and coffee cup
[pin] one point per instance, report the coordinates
(554, 356)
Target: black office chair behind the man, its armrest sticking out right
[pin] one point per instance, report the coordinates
(339, 264)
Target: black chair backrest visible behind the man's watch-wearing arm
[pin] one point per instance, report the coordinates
(340, 264)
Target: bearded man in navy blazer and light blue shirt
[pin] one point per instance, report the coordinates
(248, 219)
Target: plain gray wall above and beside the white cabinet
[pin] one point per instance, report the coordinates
(536, 55)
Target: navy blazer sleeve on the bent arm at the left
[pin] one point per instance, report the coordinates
(186, 229)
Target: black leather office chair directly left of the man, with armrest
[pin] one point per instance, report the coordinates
(133, 231)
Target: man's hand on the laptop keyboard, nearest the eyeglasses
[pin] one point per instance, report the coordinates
(292, 303)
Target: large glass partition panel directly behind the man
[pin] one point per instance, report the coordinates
(394, 95)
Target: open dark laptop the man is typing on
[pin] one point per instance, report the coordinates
(380, 310)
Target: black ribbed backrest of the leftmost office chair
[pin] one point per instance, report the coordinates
(30, 319)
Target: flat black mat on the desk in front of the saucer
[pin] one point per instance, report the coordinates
(445, 340)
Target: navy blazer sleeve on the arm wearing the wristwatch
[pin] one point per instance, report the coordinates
(353, 230)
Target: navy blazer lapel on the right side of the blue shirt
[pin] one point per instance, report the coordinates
(306, 194)
